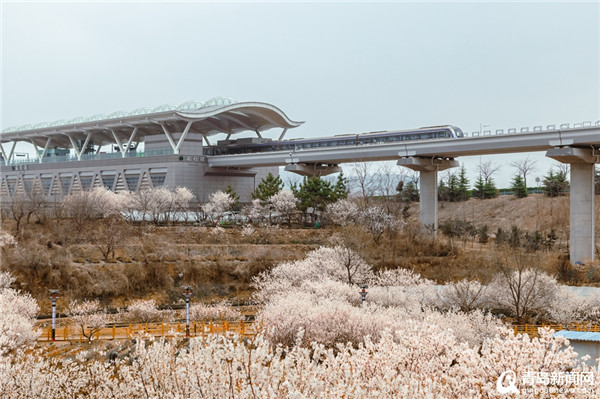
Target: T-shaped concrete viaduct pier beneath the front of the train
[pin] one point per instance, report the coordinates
(428, 169)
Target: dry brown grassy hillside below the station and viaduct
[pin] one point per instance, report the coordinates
(156, 261)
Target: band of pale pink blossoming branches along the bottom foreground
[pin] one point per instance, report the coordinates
(427, 363)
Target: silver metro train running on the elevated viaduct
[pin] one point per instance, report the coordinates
(255, 144)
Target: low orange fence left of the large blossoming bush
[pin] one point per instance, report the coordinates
(125, 331)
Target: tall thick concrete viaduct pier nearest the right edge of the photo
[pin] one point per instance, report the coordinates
(581, 226)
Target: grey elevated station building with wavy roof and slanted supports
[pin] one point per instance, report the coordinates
(160, 147)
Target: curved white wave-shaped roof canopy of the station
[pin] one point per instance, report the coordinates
(218, 115)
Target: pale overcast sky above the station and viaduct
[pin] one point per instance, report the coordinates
(340, 67)
